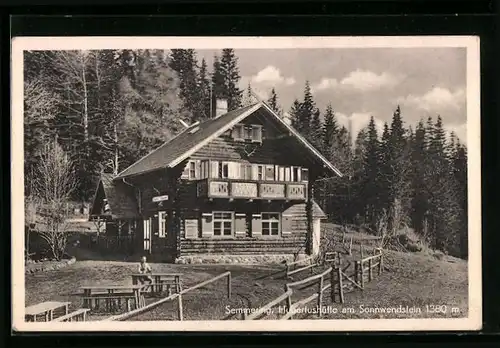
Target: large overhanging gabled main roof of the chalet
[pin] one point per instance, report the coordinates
(182, 146)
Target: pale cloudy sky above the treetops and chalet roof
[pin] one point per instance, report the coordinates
(363, 82)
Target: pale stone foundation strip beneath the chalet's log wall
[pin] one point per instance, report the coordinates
(238, 259)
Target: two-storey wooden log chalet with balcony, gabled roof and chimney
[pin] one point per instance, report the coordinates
(235, 188)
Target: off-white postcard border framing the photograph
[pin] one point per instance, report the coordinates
(472, 322)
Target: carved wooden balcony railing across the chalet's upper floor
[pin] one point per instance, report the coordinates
(251, 189)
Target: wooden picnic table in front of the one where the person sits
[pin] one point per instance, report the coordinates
(113, 295)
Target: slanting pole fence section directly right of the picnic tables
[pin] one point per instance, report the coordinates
(178, 296)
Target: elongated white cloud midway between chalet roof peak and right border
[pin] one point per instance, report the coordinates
(362, 80)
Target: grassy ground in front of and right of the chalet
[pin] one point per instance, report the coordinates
(413, 280)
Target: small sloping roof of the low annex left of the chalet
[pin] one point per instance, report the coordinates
(120, 198)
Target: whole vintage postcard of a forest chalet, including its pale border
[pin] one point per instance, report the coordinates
(246, 183)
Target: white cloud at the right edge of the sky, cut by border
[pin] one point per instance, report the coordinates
(437, 100)
